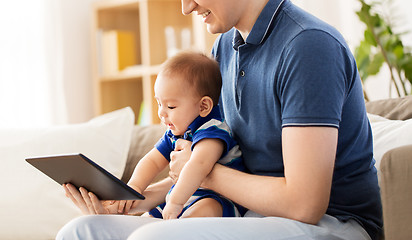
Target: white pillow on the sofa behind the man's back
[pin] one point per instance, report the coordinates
(389, 134)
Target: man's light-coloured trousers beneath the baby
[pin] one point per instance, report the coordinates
(253, 227)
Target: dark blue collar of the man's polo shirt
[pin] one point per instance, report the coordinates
(261, 27)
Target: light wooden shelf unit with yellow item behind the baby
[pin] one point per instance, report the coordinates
(144, 22)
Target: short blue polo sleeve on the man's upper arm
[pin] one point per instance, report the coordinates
(313, 80)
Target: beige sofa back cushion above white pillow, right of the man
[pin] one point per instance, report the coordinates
(394, 108)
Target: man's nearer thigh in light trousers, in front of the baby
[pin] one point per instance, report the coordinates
(329, 228)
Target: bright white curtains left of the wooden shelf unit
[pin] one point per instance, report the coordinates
(45, 62)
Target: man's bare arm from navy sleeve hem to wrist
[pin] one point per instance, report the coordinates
(303, 194)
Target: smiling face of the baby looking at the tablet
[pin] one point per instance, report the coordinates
(178, 104)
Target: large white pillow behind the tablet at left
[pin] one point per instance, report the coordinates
(33, 205)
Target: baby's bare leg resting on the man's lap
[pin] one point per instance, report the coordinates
(205, 207)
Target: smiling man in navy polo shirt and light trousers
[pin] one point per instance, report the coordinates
(293, 98)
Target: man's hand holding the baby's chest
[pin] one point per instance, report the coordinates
(179, 157)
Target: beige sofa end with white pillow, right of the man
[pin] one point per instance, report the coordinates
(393, 143)
